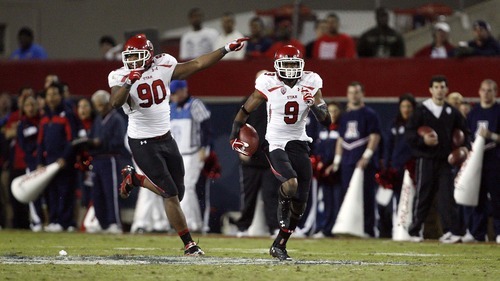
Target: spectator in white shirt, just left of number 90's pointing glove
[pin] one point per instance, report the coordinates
(198, 41)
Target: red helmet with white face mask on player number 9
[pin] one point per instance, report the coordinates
(288, 62)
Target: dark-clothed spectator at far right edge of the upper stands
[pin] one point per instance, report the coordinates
(483, 44)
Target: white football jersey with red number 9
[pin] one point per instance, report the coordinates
(286, 110)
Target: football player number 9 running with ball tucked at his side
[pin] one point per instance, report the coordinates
(290, 93)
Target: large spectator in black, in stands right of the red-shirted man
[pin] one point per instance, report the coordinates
(381, 41)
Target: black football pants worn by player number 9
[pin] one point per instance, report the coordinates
(293, 162)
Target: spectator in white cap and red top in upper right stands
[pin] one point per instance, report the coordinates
(440, 46)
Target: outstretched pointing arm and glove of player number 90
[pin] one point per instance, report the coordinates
(186, 69)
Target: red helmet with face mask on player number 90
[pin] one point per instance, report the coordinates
(140, 46)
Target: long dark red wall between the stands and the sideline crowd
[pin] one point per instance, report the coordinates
(381, 77)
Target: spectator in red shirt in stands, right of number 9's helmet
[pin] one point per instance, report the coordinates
(334, 45)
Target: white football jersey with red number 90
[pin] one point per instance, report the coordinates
(148, 108)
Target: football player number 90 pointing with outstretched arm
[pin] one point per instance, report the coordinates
(141, 87)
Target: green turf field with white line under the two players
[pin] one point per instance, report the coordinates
(35, 256)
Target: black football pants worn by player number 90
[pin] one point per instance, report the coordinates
(160, 160)
